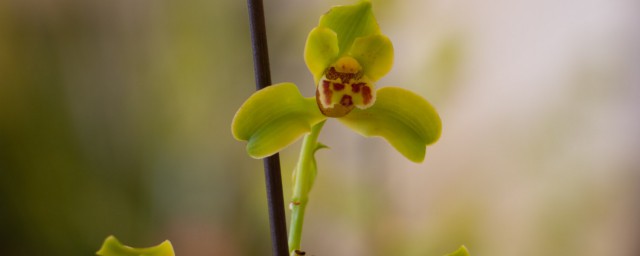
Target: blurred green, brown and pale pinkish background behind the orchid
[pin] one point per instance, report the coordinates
(115, 119)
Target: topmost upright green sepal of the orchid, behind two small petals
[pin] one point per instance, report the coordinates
(350, 22)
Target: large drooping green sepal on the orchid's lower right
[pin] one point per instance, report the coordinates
(406, 120)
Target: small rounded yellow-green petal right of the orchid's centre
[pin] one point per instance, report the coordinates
(375, 54)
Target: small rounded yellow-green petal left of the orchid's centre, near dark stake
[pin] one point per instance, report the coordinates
(320, 51)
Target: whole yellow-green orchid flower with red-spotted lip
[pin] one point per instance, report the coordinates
(347, 54)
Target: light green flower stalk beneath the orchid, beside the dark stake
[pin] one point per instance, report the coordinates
(304, 176)
